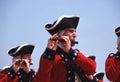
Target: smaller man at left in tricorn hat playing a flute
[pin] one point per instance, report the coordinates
(20, 70)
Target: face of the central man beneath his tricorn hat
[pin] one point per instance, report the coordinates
(71, 33)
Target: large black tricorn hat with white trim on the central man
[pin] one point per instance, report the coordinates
(67, 21)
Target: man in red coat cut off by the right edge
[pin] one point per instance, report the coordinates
(112, 64)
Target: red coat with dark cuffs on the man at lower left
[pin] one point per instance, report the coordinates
(8, 75)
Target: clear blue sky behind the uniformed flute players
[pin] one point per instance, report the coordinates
(22, 21)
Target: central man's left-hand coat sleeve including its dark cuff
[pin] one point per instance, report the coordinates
(45, 67)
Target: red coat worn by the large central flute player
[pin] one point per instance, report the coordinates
(54, 69)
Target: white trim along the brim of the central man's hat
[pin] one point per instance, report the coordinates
(64, 16)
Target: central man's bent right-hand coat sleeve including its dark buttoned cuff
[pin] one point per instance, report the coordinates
(86, 64)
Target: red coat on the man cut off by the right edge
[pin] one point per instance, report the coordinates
(112, 68)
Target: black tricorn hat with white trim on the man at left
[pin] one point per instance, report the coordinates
(20, 50)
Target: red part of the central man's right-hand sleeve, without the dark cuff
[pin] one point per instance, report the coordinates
(85, 63)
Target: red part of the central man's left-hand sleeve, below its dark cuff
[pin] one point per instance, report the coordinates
(44, 71)
